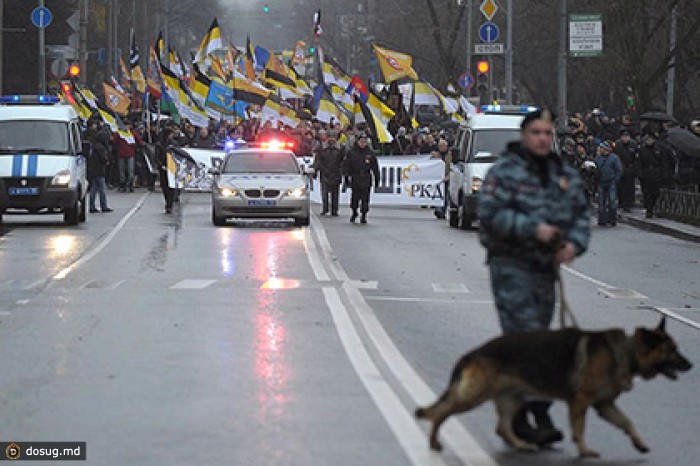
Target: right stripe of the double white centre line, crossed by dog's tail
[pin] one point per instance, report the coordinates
(454, 434)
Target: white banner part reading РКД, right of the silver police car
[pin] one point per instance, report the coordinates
(405, 180)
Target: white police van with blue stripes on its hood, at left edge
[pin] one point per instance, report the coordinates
(42, 163)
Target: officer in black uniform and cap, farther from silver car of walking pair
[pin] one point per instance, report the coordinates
(362, 167)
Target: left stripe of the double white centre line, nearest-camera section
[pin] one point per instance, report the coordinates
(410, 436)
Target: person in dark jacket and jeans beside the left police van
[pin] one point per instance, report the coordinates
(97, 162)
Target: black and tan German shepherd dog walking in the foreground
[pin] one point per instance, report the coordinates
(580, 367)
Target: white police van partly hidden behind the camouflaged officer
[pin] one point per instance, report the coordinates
(480, 141)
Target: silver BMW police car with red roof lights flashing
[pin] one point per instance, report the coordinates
(260, 183)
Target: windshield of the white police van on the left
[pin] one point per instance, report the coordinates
(34, 136)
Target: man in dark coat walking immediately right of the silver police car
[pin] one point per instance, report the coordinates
(329, 162)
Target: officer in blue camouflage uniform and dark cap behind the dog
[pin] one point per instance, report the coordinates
(534, 216)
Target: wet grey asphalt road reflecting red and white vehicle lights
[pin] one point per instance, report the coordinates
(163, 340)
